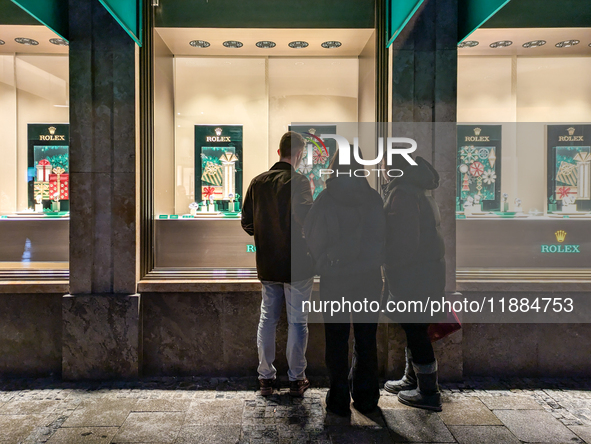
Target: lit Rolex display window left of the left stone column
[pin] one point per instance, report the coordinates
(34, 115)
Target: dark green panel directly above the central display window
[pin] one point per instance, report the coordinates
(266, 14)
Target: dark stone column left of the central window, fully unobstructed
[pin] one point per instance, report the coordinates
(101, 316)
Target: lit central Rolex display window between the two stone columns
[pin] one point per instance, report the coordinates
(223, 100)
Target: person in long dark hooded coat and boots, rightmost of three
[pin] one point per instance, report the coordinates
(415, 270)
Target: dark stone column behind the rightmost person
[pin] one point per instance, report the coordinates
(424, 91)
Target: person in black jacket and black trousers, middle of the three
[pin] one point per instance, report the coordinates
(345, 232)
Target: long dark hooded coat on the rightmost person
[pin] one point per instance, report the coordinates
(415, 249)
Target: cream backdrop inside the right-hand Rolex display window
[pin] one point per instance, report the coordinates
(532, 90)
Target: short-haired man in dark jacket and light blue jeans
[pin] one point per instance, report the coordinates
(274, 209)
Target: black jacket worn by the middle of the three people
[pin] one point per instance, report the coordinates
(345, 229)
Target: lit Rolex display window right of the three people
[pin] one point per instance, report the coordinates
(523, 200)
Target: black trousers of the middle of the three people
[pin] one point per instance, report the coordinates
(360, 379)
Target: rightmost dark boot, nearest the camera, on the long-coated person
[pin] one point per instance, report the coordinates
(426, 395)
